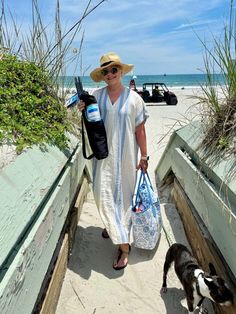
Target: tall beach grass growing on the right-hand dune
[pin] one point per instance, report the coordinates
(218, 100)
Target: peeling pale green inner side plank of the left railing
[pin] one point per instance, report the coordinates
(23, 277)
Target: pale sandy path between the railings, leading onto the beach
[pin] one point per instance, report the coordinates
(91, 285)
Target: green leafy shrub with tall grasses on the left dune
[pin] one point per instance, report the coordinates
(32, 101)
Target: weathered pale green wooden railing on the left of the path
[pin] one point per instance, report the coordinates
(37, 197)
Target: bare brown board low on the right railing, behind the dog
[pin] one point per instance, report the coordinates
(202, 244)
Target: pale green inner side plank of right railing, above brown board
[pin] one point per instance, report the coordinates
(211, 206)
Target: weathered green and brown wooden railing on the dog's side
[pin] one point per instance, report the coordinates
(205, 197)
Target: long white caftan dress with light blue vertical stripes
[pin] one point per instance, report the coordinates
(114, 177)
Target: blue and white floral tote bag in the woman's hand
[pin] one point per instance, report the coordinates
(146, 213)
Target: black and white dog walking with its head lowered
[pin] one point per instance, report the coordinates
(196, 283)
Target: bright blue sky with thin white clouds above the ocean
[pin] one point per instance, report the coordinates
(157, 36)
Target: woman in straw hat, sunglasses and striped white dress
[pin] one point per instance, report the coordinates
(124, 114)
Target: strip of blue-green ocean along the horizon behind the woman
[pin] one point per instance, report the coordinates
(171, 80)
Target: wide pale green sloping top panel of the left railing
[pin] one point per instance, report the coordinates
(25, 183)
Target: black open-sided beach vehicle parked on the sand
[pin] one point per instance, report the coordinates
(157, 92)
